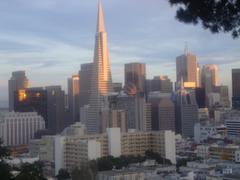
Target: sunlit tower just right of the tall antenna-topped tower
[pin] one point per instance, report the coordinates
(209, 77)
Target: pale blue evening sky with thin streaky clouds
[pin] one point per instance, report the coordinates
(49, 39)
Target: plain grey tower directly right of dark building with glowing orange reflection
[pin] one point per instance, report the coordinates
(55, 108)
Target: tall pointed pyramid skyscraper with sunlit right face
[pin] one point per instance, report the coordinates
(101, 80)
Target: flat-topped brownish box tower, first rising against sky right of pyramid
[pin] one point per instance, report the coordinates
(135, 73)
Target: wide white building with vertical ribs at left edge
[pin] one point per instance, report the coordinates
(19, 128)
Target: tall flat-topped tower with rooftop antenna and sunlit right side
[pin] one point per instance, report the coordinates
(186, 66)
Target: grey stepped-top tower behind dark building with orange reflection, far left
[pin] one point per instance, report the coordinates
(17, 81)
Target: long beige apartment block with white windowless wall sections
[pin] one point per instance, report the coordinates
(73, 151)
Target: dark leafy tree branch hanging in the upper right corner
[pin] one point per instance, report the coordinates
(215, 15)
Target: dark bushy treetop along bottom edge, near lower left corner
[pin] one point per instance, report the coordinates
(31, 172)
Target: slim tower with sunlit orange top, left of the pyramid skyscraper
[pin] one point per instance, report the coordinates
(73, 98)
